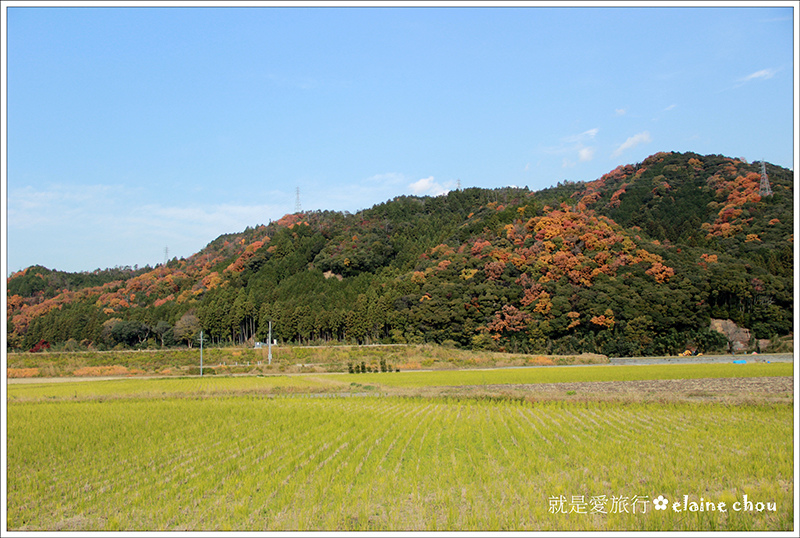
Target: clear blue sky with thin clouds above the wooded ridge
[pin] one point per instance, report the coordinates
(132, 130)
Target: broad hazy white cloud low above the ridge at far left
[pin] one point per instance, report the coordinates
(97, 226)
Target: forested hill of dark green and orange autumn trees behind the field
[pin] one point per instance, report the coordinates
(634, 263)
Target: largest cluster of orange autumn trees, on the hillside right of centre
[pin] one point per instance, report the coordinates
(565, 245)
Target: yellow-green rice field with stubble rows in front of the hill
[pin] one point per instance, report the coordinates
(372, 452)
